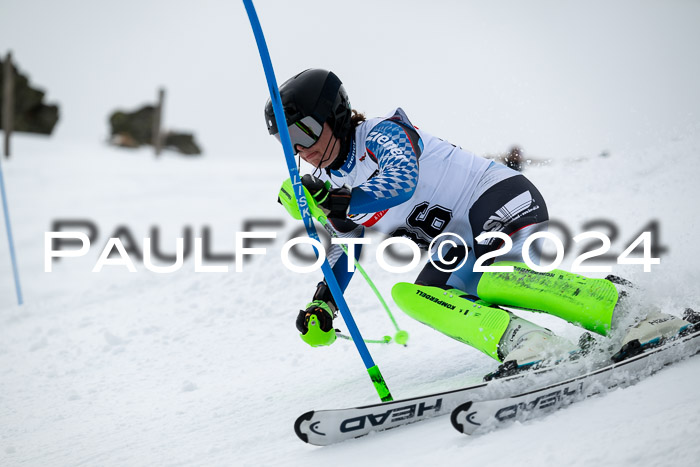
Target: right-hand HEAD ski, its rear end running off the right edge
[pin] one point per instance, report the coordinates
(486, 414)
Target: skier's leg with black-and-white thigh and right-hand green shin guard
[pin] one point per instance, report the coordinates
(578, 299)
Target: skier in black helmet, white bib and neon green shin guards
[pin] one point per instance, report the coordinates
(386, 174)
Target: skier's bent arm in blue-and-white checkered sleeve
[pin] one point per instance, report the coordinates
(396, 148)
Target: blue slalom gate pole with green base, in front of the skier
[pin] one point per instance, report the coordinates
(374, 373)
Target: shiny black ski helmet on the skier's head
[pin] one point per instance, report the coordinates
(317, 94)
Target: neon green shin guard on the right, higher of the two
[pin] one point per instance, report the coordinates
(580, 300)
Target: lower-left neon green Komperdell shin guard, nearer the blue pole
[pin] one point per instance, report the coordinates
(476, 324)
